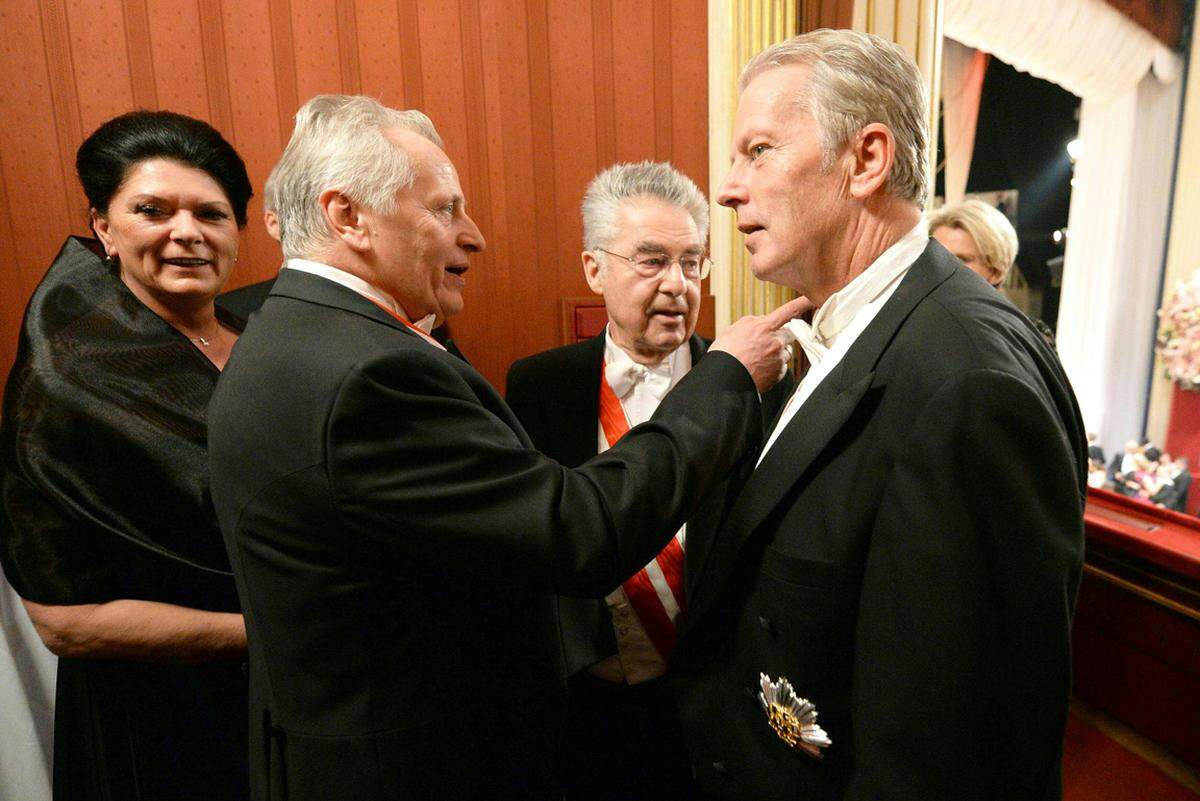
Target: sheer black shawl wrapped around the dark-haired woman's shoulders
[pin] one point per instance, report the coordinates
(104, 450)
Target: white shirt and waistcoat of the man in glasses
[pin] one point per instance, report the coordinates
(637, 659)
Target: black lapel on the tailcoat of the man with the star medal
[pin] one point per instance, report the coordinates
(809, 432)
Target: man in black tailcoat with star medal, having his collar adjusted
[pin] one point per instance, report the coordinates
(885, 611)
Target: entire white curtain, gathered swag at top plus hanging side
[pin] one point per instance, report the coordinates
(1120, 204)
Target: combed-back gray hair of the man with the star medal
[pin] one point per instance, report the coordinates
(859, 80)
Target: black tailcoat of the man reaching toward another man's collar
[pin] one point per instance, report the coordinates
(398, 543)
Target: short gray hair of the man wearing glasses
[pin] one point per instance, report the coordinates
(621, 183)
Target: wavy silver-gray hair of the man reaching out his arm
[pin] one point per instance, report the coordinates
(340, 143)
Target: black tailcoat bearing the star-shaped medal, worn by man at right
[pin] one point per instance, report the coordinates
(908, 556)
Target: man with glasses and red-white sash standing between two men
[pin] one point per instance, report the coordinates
(645, 230)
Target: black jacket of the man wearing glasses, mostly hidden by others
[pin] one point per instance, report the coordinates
(556, 396)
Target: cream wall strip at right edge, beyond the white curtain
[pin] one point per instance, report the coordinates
(1184, 245)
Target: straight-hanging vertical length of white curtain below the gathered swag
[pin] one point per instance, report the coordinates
(1118, 238)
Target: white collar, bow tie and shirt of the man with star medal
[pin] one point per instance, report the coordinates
(844, 317)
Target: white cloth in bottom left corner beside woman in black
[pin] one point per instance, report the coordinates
(27, 704)
